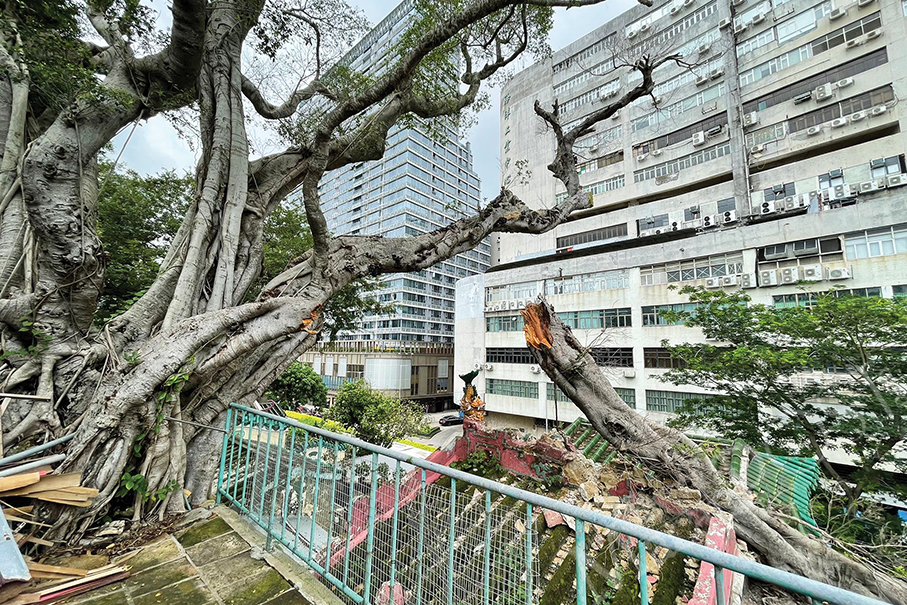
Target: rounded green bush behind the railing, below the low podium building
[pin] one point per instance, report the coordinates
(374, 416)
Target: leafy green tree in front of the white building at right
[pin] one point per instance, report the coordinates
(861, 407)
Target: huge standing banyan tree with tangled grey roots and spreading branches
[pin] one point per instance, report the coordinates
(75, 74)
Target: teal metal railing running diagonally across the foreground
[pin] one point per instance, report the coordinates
(382, 527)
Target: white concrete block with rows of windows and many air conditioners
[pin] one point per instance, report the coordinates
(780, 159)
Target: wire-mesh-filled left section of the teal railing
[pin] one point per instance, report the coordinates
(379, 529)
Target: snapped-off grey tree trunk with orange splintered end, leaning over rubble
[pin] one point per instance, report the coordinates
(670, 453)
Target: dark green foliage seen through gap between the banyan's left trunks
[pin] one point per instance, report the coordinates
(137, 219)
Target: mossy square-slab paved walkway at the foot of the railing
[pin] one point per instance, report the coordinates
(215, 562)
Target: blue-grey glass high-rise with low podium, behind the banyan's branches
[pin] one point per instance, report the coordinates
(423, 182)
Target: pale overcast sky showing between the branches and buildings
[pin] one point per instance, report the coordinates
(155, 144)
